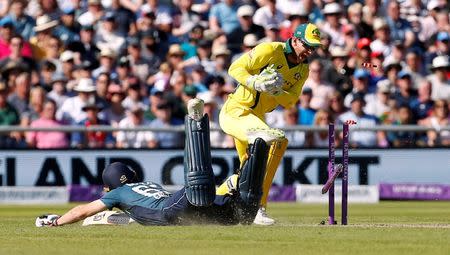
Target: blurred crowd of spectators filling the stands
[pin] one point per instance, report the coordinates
(128, 63)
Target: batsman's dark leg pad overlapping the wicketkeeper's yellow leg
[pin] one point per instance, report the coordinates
(251, 180)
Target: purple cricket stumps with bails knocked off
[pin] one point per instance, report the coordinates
(334, 171)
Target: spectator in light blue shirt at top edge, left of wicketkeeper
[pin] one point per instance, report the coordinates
(223, 16)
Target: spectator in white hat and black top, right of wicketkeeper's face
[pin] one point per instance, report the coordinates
(339, 72)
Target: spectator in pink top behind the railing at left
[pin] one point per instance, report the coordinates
(47, 140)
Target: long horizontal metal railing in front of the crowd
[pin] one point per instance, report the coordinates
(103, 128)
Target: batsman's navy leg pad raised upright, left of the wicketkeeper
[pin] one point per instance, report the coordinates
(199, 176)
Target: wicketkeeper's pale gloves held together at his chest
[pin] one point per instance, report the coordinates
(269, 80)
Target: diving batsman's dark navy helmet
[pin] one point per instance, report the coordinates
(117, 174)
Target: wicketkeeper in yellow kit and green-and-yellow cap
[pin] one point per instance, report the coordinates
(271, 74)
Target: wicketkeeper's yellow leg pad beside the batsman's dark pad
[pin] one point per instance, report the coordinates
(276, 153)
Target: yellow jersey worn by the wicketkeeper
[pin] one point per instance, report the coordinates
(253, 63)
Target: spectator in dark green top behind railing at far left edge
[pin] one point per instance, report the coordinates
(8, 117)
